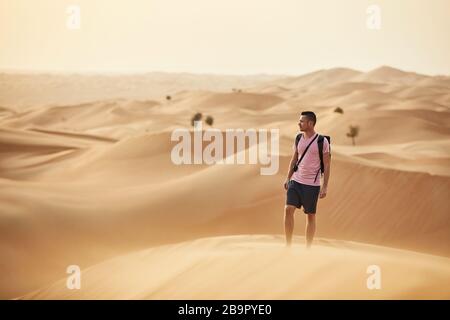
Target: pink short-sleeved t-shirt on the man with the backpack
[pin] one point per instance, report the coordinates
(310, 165)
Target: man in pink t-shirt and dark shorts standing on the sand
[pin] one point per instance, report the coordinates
(303, 185)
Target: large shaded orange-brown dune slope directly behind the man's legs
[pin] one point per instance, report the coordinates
(138, 205)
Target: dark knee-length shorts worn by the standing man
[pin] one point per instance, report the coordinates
(299, 194)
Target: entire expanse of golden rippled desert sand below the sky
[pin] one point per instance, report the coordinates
(88, 179)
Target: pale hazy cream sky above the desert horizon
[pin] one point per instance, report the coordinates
(224, 36)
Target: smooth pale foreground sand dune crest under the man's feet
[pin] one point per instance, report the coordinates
(258, 267)
